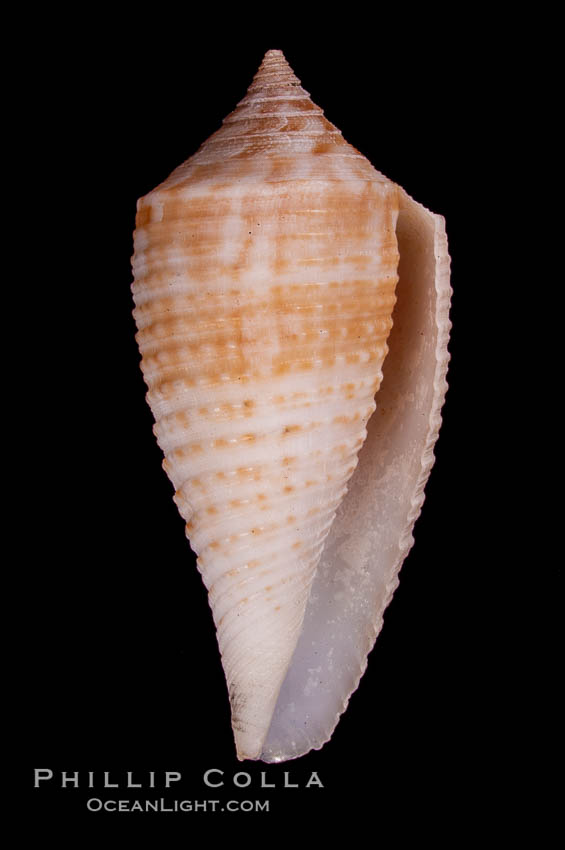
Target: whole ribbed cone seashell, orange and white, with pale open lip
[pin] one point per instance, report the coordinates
(265, 277)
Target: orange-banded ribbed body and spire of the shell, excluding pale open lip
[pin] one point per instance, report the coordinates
(265, 269)
